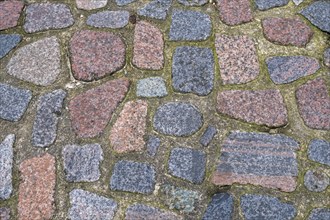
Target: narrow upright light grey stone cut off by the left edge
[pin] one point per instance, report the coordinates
(6, 166)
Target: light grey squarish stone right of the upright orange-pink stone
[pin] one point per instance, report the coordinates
(81, 163)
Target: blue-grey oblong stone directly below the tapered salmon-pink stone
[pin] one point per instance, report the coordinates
(133, 177)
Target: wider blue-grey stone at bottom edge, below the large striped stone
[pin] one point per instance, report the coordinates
(266, 207)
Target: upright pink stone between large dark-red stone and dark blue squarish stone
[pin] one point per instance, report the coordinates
(148, 51)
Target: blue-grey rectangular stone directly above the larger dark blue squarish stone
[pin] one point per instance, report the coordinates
(189, 26)
